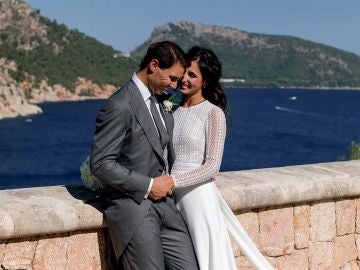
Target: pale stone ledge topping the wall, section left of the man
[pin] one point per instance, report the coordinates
(45, 210)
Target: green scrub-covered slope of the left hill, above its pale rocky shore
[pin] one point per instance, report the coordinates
(60, 55)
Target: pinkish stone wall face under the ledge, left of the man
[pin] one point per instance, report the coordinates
(79, 250)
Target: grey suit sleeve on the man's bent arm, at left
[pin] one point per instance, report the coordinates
(112, 123)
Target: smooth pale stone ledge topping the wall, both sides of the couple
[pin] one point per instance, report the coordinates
(56, 209)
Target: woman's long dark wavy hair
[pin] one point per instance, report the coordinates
(210, 68)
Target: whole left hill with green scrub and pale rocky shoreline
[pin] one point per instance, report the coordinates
(41, 60)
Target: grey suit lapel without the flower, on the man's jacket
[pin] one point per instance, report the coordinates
(142, 114)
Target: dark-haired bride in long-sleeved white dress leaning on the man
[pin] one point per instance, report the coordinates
(199, 135)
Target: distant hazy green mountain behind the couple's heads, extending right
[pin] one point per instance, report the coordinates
(251, 59)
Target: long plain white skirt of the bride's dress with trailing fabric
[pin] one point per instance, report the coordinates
(209, 219)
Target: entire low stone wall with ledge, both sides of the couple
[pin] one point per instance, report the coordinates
(300, 217)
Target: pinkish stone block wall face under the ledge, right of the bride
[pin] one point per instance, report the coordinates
(315, 235)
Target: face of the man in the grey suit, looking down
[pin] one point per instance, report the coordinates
(165, 78)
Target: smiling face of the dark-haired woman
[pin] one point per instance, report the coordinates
(192, 81)
